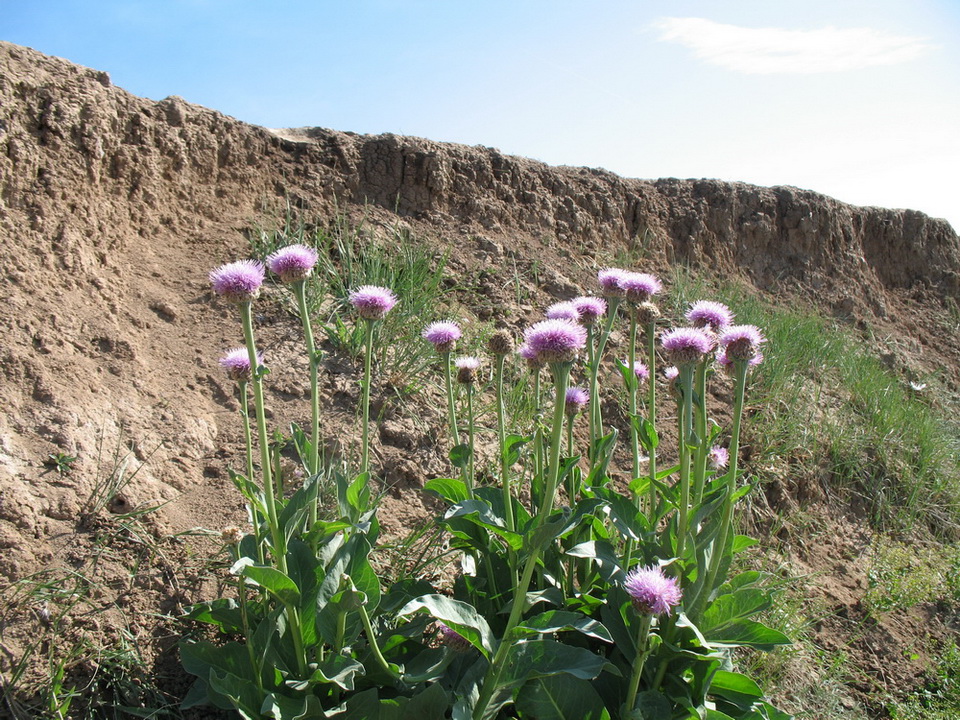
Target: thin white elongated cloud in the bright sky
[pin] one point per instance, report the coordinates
(768, 51)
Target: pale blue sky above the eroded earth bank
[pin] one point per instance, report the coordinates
(855, 99)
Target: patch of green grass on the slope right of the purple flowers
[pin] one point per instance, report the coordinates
(825, 401)
